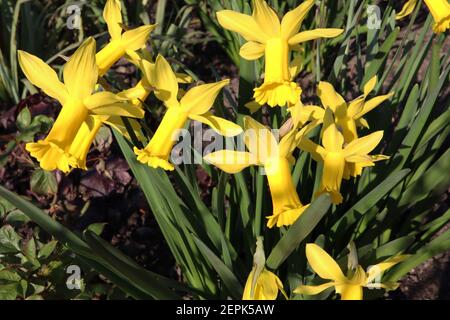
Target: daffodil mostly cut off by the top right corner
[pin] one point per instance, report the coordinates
(440, 10)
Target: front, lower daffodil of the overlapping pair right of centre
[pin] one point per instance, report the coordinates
(336, 155)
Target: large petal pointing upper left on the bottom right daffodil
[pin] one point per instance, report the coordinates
(323, 264)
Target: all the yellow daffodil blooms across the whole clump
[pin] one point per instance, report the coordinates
(342, 150)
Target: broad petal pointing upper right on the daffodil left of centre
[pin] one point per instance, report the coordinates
(200, 99)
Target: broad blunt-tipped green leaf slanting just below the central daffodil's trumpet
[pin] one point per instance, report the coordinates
(298, 231)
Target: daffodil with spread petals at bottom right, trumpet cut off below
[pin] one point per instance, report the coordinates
(349, 286)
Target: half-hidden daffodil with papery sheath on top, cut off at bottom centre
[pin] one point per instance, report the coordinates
(261, 283)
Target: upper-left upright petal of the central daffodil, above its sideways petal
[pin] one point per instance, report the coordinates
(259, 140)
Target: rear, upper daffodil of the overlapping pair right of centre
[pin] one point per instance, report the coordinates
(350, 115)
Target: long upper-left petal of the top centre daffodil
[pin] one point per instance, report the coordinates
(243, 24)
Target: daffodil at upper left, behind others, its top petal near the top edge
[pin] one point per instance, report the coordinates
(130, 40)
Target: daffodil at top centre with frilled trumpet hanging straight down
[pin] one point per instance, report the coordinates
(269, 37)
